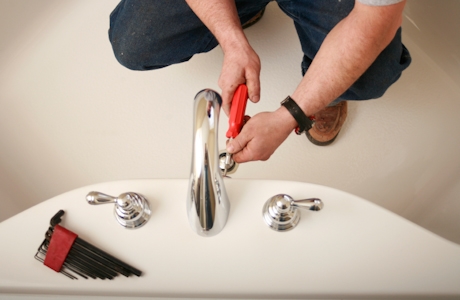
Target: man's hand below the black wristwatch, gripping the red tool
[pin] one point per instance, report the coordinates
(261, 136)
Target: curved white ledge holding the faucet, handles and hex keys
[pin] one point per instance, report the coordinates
(350, 249)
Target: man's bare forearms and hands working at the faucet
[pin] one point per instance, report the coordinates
(348, 50)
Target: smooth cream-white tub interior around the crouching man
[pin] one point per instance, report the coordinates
(72, 116)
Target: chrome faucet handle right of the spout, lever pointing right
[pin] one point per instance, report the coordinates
(281, 212)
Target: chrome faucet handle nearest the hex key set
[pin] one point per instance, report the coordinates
(131, 210)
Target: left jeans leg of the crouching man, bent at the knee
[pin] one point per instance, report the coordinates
(151, 34)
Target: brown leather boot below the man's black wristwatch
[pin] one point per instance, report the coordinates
(328, 123)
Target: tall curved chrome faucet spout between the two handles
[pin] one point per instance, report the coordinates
(207, 202)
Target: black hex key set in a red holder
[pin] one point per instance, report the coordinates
(64, 252)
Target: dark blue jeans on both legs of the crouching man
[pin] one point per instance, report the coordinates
(152, 34)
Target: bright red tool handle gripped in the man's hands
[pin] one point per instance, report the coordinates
(237, 110)
